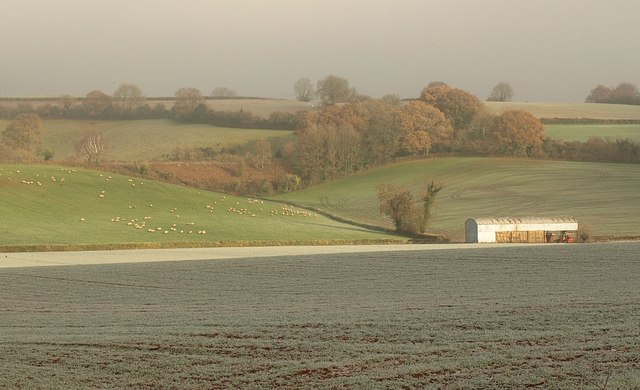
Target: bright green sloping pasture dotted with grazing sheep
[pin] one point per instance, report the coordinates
(71, 211)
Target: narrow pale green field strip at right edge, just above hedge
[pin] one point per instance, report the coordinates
(582, 132)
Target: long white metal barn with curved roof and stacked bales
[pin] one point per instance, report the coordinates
(521, 229)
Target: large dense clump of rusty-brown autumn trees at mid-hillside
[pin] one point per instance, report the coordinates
(343, 138)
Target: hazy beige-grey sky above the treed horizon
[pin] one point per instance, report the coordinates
(548, 50)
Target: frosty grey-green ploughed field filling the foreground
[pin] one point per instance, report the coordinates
(549, 316)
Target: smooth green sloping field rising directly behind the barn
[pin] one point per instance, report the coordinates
(605, 196)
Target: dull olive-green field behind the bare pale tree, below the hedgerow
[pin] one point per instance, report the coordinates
(145, 140)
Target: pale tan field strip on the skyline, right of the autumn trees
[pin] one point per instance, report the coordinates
(569, 110)
